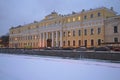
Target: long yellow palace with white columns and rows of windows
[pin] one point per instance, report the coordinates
(86, 28)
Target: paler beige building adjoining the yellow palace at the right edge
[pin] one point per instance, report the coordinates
(110, 33)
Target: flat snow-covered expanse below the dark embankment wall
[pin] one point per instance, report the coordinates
(20, 67)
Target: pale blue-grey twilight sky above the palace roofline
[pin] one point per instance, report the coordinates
(20, 12)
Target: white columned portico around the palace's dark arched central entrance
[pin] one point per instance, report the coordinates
(55, 37)
